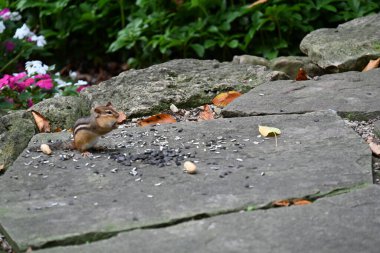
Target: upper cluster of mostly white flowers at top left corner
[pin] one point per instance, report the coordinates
(16, 41)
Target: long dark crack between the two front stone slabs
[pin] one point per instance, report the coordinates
(98, 236)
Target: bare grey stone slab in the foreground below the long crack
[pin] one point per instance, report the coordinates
(346, 223)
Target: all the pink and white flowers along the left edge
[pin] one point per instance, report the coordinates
(33, 82)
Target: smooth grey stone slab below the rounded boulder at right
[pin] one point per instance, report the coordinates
(347, 93)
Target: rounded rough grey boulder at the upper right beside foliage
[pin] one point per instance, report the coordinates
(348, 47)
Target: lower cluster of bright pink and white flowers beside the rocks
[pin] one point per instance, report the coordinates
(22, 90)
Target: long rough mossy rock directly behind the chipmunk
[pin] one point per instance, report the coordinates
(185, 83)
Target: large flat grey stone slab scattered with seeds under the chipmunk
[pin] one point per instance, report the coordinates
(64, 198)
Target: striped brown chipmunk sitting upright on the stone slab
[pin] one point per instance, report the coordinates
(86, 131)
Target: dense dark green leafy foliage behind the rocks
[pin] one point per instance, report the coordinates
(144, 32)
